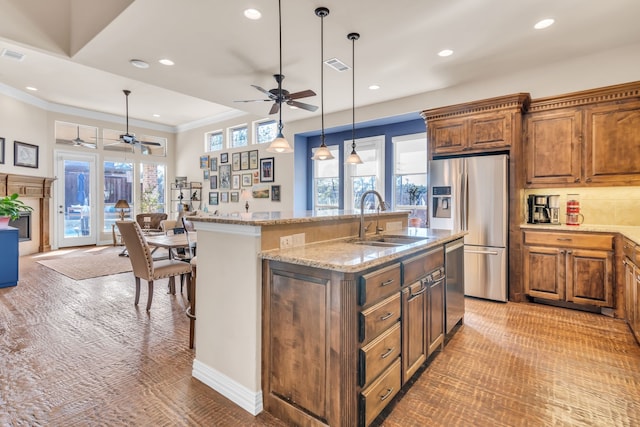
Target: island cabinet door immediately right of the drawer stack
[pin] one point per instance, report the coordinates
(414, 328)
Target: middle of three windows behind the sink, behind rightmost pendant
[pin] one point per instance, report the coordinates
(367, 176)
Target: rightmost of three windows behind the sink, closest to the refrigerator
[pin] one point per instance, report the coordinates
(410, 175)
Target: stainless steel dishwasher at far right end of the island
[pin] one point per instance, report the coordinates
(454, 295)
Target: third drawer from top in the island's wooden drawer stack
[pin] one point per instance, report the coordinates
(376, 356)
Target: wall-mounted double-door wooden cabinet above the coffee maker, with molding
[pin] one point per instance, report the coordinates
(584, 138)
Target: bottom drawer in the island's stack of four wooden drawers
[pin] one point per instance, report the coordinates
(375, 397)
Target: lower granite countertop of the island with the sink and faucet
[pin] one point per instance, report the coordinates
(344, 256)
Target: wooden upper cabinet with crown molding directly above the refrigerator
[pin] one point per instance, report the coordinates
(475, 127)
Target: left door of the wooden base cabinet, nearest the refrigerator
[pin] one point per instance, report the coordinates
(544, 272)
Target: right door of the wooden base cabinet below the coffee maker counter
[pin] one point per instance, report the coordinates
(590, 277)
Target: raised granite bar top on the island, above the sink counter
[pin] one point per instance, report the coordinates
(277, 217)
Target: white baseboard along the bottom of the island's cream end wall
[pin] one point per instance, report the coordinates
(248, 400)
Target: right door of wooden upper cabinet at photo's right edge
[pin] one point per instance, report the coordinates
(612, 144)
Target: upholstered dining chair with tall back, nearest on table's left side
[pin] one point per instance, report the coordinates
(143, 264)
